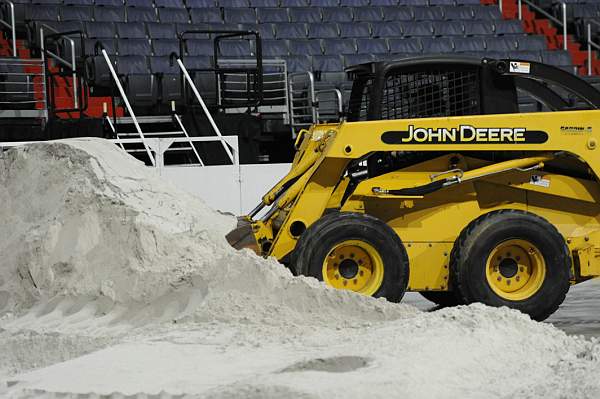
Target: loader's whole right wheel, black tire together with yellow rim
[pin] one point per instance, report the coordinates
(512, 258)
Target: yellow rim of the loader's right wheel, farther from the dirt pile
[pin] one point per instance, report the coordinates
(515, 270)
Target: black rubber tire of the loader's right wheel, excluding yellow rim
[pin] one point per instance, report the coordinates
(479, 239)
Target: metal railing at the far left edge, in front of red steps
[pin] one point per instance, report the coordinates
(22, 92)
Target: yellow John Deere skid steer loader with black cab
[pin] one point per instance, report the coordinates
(436, 183)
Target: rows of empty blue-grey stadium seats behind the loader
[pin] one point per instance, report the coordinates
(324, 36)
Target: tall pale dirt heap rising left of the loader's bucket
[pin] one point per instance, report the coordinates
(85, 220)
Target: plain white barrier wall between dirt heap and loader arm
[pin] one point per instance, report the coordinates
(228, 188)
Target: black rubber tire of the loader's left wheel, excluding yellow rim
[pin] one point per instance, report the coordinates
(321, 237)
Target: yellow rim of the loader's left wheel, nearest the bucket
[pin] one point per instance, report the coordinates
(354, 265)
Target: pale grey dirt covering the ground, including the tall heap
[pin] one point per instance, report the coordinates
(114, 282)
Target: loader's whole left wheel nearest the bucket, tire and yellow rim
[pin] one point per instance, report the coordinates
(354, 252)
